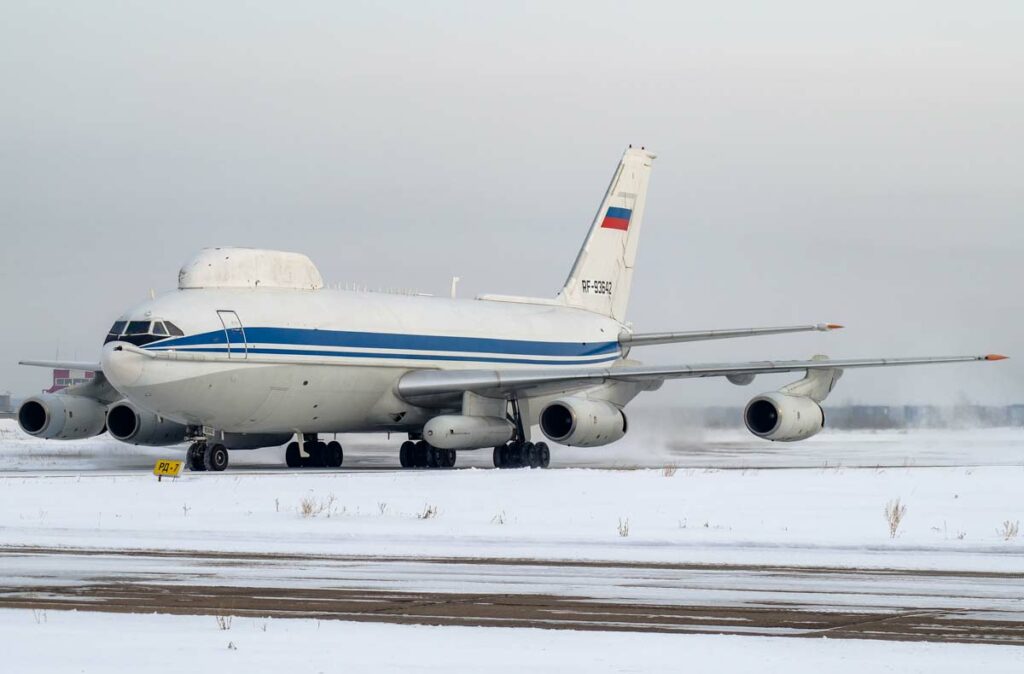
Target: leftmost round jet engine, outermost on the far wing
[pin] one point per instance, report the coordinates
(63, 417)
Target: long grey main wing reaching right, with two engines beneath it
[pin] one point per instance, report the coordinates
(426, 387)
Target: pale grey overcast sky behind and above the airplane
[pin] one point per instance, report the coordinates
(861, 164)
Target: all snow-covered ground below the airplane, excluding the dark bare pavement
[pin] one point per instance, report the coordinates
(962, 492)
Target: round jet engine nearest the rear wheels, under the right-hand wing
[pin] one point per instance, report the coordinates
(581, 423)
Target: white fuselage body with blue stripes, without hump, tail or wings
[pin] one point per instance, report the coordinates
(328, 361)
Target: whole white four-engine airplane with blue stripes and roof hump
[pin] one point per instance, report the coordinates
(252, 350)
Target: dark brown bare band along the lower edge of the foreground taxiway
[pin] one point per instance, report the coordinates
(516, 611)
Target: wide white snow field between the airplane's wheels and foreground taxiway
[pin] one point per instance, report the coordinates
(955, 516)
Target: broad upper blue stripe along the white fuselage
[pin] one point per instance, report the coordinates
(306, 338)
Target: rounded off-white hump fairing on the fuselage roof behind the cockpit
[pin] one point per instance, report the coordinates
(249, 268)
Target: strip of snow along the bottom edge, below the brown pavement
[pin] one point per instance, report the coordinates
(65, 642)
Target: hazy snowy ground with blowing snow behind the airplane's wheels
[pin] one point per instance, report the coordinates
(653, 443)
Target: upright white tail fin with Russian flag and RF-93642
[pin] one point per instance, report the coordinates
(602, 279)
